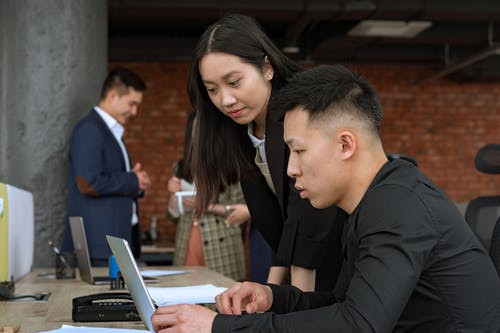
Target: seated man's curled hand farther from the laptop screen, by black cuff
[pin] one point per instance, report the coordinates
(249, 296)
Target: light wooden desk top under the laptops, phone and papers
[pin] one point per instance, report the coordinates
(35, 316)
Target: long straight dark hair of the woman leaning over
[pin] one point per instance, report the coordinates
(220, 145)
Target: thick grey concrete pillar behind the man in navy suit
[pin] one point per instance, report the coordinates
(53, 59)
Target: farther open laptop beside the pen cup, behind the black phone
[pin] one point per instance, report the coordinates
(82, 252)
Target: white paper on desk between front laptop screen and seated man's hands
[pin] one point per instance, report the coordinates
(199, 294)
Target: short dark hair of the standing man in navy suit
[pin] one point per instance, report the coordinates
(121, 79)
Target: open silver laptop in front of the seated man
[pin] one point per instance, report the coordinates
(133, 279)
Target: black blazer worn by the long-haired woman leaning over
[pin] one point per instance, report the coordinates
(298, 233)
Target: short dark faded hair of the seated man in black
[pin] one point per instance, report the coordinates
(326, 90)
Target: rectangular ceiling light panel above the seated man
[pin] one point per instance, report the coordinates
(394, 29)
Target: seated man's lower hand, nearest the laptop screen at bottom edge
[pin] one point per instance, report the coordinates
(183, 318)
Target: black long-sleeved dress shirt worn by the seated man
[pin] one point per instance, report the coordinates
(411, 264)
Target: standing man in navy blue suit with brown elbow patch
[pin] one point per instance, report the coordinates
(103, 186)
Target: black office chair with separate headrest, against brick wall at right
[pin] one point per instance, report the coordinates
(482, 213)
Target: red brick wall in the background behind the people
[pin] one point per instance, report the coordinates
(442, 124)
